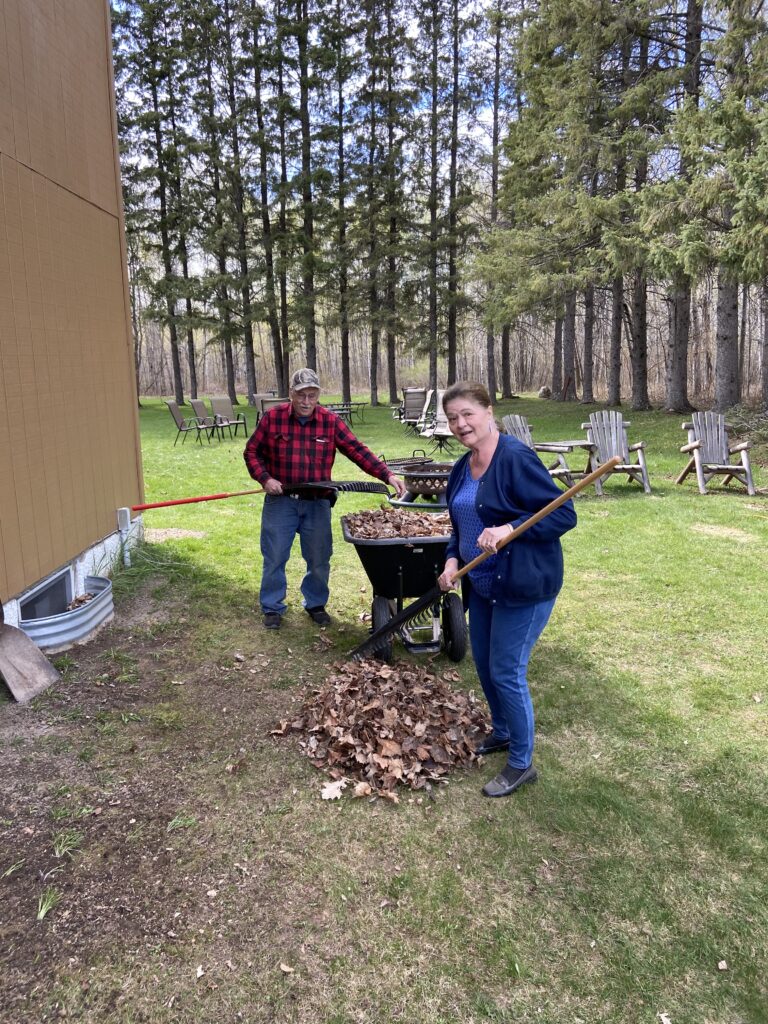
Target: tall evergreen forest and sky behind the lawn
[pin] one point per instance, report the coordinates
(564, 193)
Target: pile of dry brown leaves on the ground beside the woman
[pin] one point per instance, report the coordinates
(387, 726)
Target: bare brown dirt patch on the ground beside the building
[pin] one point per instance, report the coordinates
(133, 760)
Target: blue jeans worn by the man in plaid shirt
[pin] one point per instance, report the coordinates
(282, 520)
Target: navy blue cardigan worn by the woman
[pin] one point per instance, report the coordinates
(517, 485)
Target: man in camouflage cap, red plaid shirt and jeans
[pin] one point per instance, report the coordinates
(296, 443)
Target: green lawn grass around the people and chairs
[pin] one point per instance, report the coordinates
(610, 892)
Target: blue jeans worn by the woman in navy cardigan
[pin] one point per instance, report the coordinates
(502, 643)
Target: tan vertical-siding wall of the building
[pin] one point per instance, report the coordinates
(70, 452)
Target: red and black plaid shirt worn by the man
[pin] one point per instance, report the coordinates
(288, 451)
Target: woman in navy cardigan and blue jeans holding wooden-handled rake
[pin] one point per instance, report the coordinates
(492, 490)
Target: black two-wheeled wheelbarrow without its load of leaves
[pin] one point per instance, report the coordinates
(403, 568)
